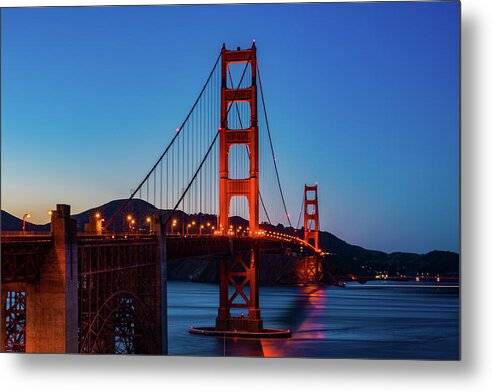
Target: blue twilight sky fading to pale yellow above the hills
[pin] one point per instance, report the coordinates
(363, 99)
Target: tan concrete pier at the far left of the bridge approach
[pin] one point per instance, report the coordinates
(51, 301)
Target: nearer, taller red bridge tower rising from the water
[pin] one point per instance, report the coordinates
(240, 270)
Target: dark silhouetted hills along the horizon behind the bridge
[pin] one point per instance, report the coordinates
(345, 259)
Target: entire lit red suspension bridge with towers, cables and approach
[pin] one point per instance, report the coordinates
(104, 290)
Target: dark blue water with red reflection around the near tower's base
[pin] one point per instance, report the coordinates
(375, 320)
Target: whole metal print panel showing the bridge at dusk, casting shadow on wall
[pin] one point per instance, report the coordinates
(272, 180)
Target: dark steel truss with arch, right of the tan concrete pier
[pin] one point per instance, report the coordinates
(119, 297)
